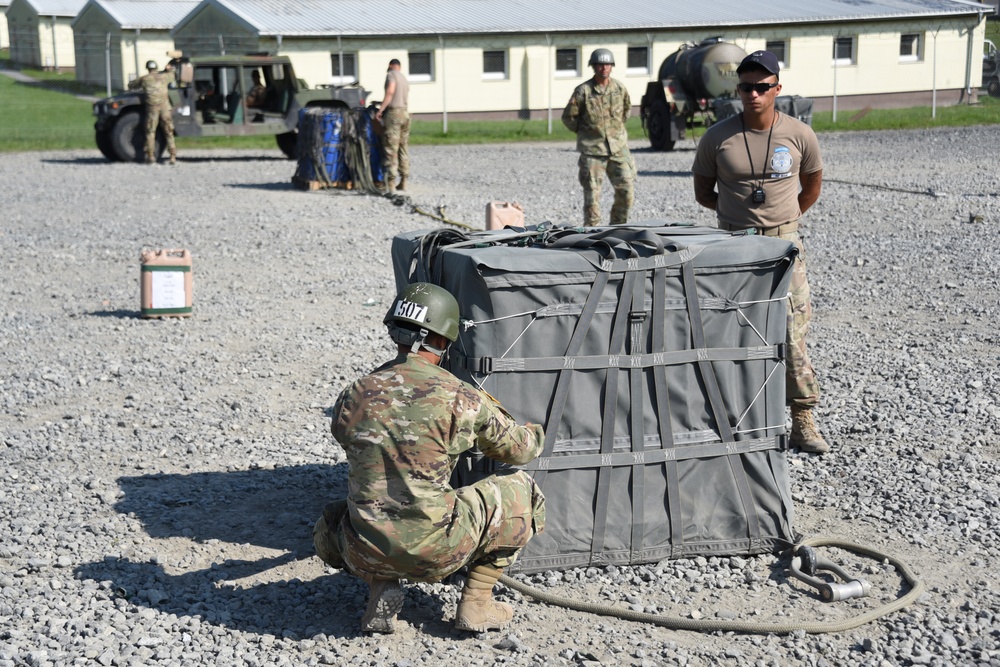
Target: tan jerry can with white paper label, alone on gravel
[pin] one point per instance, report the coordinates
(165, 283)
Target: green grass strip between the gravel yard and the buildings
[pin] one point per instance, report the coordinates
(47, 116)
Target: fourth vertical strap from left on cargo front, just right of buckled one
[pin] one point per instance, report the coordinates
(662, 398)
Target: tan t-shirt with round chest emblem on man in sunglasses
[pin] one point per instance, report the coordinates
(722, 155)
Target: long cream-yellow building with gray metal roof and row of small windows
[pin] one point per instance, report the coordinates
(522, 58)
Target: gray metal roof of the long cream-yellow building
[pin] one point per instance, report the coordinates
(433, 17)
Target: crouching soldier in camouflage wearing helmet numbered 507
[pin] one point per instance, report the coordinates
(403, 427)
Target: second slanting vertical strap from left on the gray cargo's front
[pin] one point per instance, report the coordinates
(604, 474)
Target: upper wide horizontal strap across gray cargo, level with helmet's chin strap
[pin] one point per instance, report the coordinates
(488, 365)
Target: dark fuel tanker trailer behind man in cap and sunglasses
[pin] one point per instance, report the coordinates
(700, 79)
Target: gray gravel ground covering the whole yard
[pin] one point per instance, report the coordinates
(160, 477)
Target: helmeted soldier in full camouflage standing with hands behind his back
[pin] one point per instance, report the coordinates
(597, 113)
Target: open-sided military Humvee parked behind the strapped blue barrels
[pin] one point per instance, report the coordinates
(209, 99)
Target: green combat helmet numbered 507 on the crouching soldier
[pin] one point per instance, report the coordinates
(420, 309)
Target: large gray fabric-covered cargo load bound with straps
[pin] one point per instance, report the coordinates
(653, 355)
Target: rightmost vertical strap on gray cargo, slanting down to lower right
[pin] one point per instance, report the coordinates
(719, 413)
